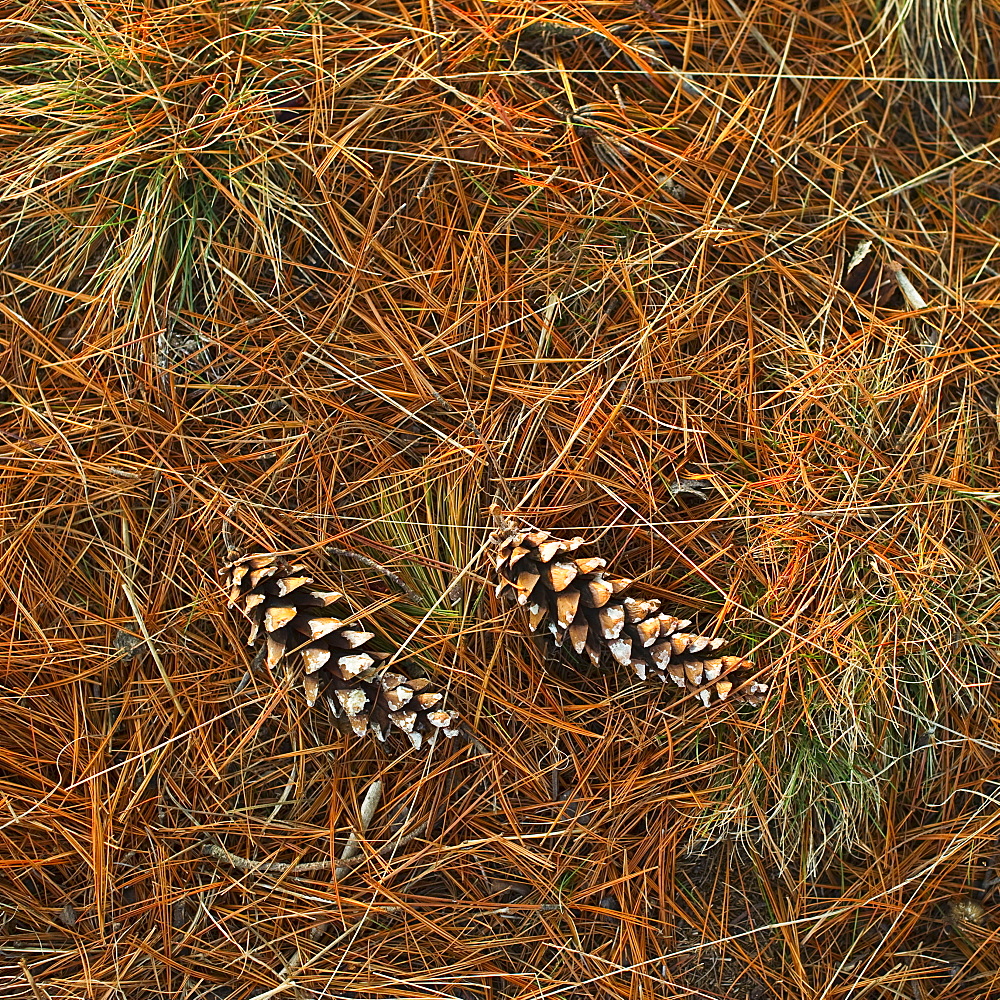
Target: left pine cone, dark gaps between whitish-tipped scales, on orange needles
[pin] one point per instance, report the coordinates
(336, 658)
